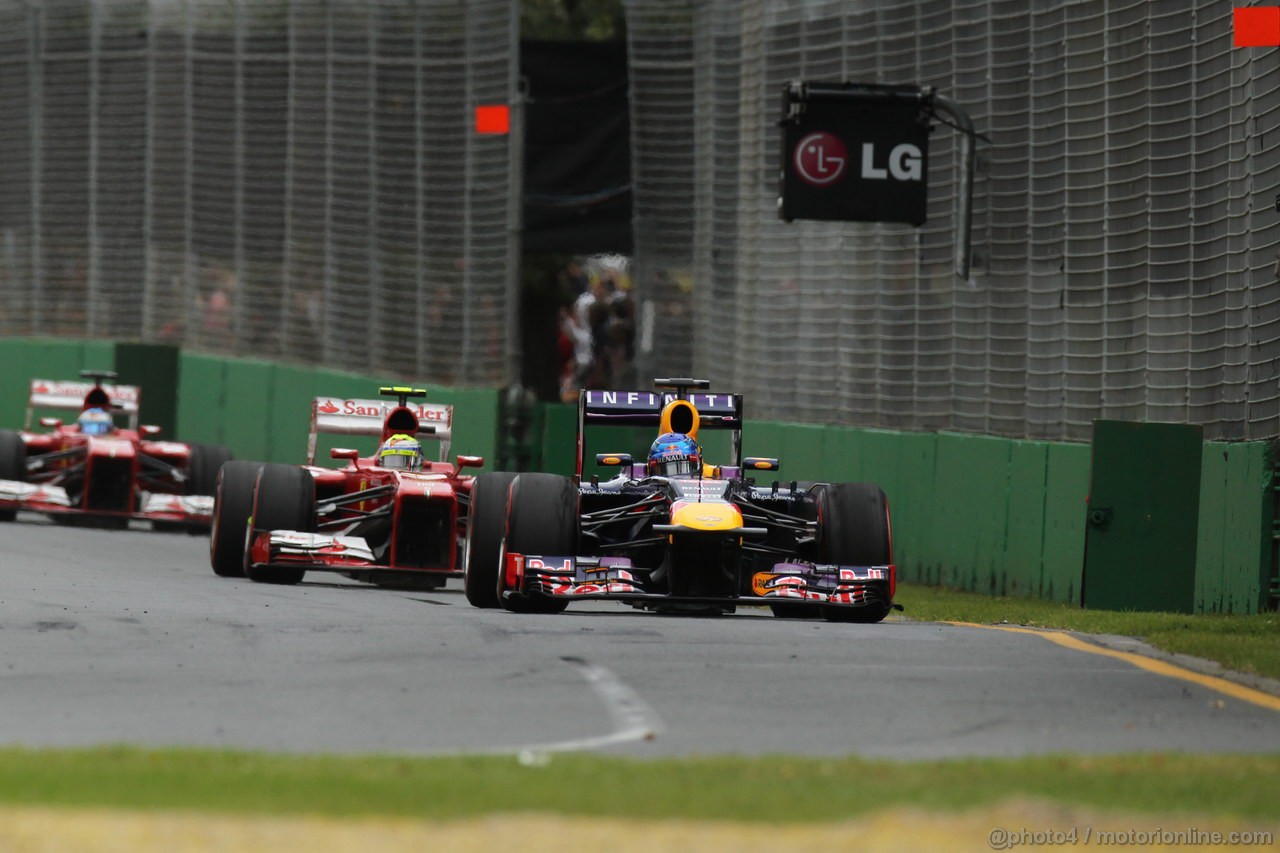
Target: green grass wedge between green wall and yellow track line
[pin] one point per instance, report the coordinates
(1244, 644)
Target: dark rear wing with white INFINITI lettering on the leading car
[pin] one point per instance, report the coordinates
(647, 408)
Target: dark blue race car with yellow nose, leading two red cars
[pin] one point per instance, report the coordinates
(675, 533)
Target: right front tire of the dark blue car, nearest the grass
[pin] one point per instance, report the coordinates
(854, 530)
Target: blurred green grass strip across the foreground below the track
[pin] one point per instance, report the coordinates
(737, 790)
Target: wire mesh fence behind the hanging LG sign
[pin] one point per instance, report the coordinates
(1126, 240)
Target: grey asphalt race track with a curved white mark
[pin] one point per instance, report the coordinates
(129, 637)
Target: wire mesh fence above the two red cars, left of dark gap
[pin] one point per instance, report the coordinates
(282, 179)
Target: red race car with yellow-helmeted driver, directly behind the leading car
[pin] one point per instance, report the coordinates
(386, 519)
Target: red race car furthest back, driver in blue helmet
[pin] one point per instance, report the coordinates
(94, 471)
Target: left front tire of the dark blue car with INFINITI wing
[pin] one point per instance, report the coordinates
(542, 519)
